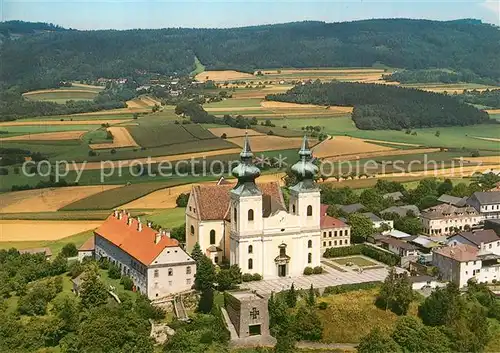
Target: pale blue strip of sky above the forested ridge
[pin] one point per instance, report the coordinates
(116, 14)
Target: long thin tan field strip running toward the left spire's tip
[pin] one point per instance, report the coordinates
(175, 157)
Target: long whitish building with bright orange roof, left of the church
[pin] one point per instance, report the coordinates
(156, 263)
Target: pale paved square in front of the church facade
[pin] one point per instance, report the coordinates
(332, 277)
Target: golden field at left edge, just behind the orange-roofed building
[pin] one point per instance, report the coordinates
(43, 230)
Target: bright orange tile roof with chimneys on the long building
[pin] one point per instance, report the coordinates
(138, 244)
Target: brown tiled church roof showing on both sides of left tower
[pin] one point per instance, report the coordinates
(213, 200)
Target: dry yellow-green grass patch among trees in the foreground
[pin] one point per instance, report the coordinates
(352, 315)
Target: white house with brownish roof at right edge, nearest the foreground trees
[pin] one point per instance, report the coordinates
(460, 263)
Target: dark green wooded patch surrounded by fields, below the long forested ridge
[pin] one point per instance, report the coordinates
(379, 107)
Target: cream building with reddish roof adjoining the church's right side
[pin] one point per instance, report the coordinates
(334, 232)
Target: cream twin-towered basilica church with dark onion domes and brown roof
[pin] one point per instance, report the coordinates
(249, 225)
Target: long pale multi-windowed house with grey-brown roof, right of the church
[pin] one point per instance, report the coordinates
(446, 219)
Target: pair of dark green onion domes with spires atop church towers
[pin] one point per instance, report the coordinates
(246, 172)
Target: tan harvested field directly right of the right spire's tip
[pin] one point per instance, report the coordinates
(343, 145)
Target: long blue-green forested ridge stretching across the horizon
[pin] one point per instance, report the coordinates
(36, 61)
